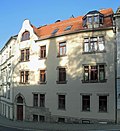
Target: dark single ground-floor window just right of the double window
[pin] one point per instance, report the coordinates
(61, 102)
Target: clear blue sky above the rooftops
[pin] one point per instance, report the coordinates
(42, 12)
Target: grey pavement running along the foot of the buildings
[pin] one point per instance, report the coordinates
(39, 126)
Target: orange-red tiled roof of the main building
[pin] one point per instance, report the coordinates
(46, 31)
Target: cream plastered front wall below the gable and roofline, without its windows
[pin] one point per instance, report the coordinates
(74, 88)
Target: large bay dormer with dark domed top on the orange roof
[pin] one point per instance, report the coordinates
(93, 19)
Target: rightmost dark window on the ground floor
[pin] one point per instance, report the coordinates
(103, 103)
